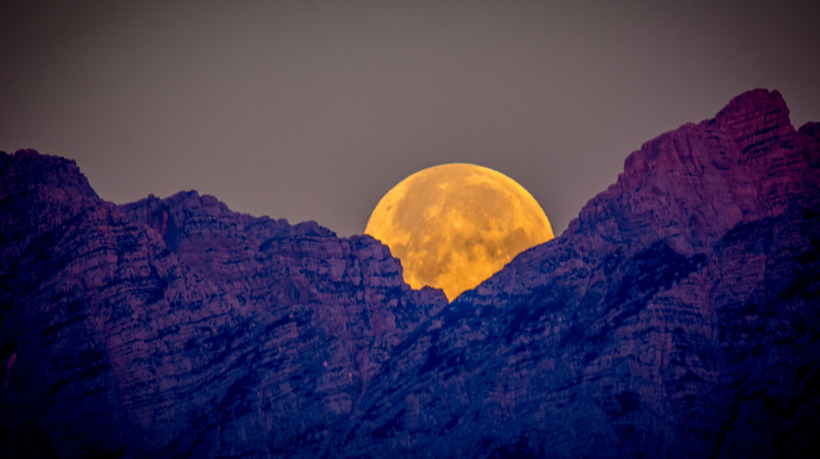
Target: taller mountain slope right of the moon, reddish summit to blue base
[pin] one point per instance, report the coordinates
(677, 316)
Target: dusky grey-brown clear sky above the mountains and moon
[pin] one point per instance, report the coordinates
(313, 110)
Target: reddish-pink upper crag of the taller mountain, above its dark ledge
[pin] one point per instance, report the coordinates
(693, 184)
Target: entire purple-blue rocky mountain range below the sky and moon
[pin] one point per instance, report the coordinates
(677, 316)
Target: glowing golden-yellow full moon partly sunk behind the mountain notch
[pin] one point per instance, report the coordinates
(454, 225)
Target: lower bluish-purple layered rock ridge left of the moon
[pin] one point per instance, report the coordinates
(177, 327)
